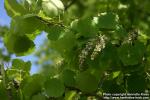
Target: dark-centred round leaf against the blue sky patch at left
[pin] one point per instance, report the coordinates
(18, 44)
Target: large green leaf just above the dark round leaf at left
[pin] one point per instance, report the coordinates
(28, 24)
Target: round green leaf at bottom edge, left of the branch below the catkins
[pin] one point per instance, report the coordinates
(54, 87)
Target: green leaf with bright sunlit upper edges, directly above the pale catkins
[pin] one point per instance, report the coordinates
(107, 21)
